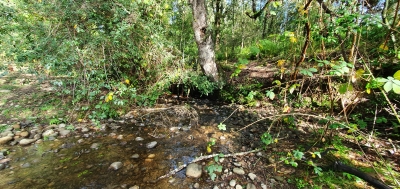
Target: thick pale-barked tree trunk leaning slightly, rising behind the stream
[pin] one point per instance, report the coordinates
(203, 37)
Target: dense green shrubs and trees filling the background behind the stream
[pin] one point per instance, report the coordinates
(108, 56)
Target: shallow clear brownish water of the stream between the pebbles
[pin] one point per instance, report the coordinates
(72, 163)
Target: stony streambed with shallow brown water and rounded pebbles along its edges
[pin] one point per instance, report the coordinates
(139, 148)
